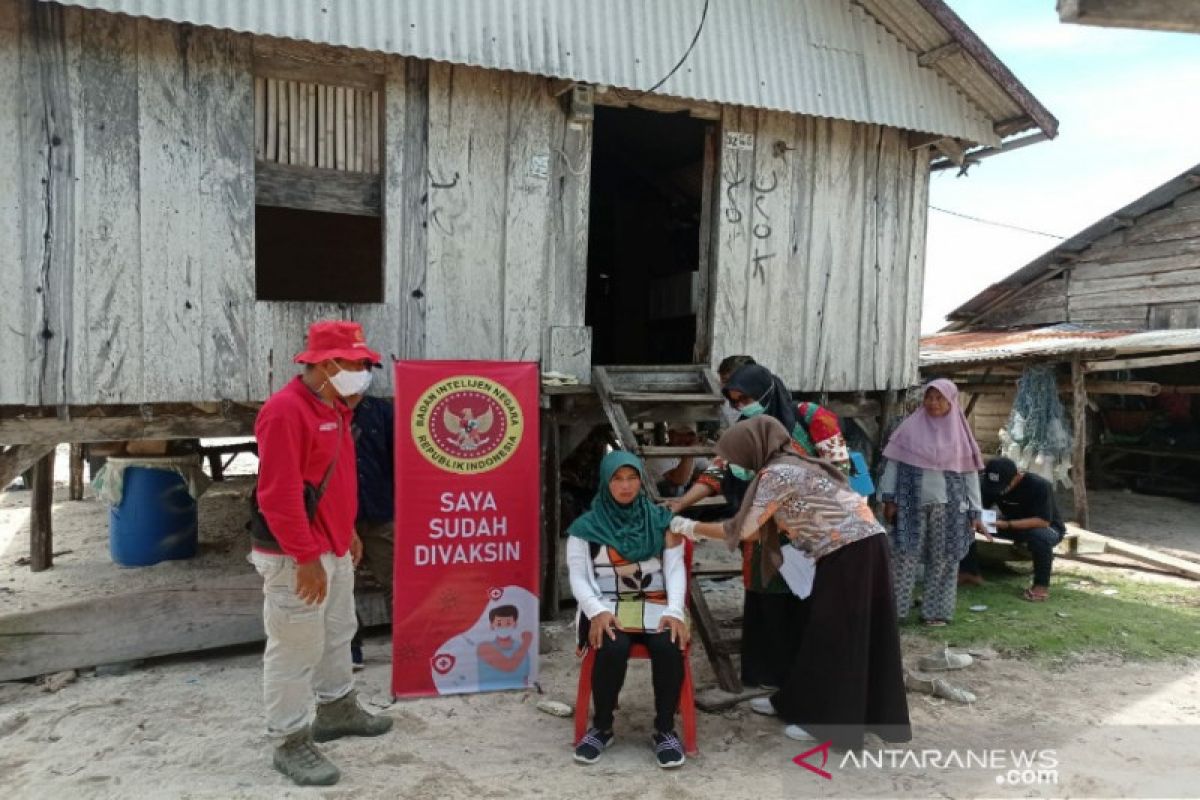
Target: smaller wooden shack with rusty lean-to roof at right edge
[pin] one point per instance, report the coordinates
(1120, 304)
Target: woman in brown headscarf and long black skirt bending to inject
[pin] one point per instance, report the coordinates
(847, 677)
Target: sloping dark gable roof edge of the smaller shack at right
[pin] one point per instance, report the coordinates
(998, 294)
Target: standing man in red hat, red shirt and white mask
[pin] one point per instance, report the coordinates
(308, 556)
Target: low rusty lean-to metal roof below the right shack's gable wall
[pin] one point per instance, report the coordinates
(983, 347)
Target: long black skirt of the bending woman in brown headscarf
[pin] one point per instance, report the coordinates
(848, 678)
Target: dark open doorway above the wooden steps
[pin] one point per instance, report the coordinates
(645, 237)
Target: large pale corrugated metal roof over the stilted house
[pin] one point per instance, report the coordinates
(821, 58)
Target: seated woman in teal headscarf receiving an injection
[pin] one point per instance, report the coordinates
(631, 585)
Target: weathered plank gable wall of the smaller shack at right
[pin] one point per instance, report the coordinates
(1148, 274)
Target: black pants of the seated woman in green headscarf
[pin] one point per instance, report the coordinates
(609, 676)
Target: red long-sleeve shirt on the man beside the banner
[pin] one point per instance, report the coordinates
(297, 437)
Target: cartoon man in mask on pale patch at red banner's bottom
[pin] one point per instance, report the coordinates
(497, 652)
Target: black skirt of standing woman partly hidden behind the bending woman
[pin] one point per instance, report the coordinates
(772, 629)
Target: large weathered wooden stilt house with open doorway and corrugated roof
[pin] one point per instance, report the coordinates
(188, 185)
